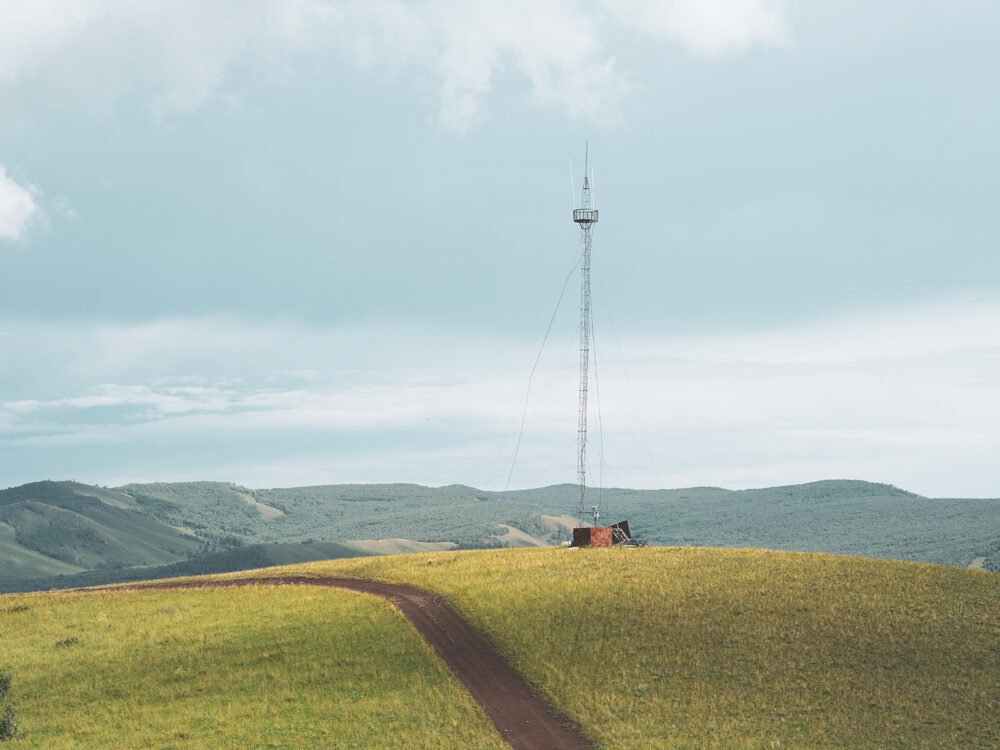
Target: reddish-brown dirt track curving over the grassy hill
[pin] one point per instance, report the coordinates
(524, 719)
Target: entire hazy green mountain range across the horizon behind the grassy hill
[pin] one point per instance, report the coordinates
(54, 528)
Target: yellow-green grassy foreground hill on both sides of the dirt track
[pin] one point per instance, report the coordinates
(643, 648)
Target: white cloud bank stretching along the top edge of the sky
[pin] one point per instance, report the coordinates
(177, 54)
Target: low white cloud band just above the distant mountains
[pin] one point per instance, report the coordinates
(904, 396)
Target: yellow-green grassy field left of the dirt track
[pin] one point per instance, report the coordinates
(248, 668)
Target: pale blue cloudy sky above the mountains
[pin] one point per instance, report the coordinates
(321, 241)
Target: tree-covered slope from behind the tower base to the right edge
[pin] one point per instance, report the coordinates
(840, 516)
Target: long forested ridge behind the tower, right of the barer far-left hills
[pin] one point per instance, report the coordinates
(840, 516)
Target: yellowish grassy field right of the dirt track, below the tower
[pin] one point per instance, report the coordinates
(710, 648)
